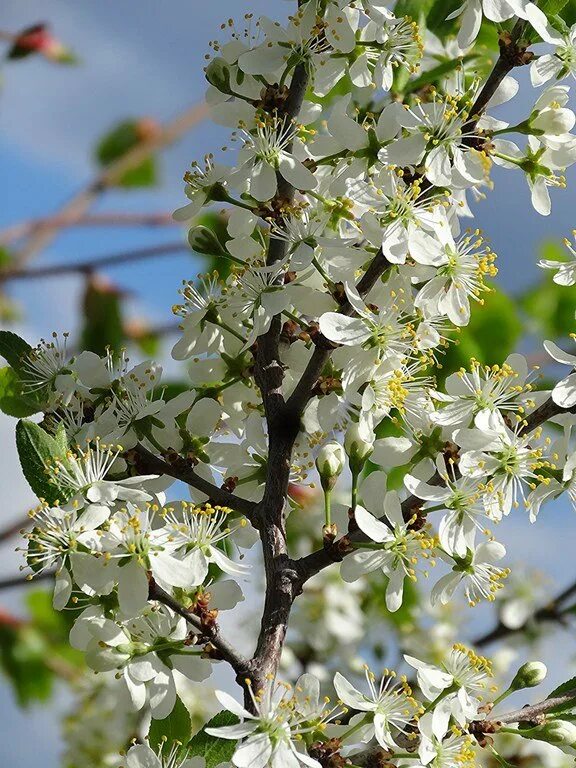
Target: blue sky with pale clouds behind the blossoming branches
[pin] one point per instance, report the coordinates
(145, 59)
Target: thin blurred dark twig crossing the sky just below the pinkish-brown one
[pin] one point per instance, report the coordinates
(94, 264)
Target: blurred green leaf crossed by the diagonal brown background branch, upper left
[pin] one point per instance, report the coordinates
(121, 139)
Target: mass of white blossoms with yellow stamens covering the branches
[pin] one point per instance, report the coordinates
(347, 244)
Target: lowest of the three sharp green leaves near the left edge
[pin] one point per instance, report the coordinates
(36, 449)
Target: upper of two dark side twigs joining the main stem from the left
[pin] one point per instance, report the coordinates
(148, 463)
